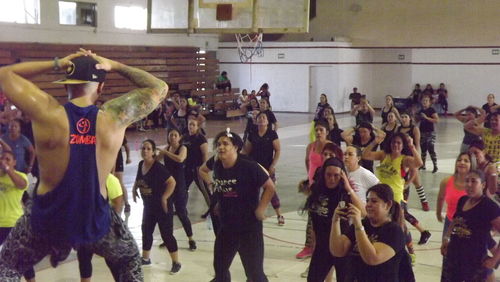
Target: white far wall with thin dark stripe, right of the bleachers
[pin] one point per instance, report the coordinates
(469, 73)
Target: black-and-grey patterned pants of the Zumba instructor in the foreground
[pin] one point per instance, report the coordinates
(23, 249)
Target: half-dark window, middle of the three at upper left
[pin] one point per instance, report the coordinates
(77, 13)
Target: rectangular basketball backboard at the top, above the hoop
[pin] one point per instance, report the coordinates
(228, 16)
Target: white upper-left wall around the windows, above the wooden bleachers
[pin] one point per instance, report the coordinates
(50, 31)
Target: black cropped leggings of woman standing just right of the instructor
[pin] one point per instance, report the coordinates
(150, 218)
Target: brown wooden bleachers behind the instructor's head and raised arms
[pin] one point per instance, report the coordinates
(182, 65)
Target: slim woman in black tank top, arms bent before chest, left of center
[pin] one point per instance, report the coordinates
(174, 156)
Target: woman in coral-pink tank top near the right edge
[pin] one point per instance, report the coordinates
(452, 188)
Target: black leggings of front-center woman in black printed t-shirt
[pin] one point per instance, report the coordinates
(249, 245)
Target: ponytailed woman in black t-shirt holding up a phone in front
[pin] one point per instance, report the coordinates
(376, 244)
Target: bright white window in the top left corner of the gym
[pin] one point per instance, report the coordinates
(15, 11)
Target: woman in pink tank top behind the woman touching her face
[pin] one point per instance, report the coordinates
(314, 149)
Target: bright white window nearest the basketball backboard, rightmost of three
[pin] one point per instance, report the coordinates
(131, 17)
